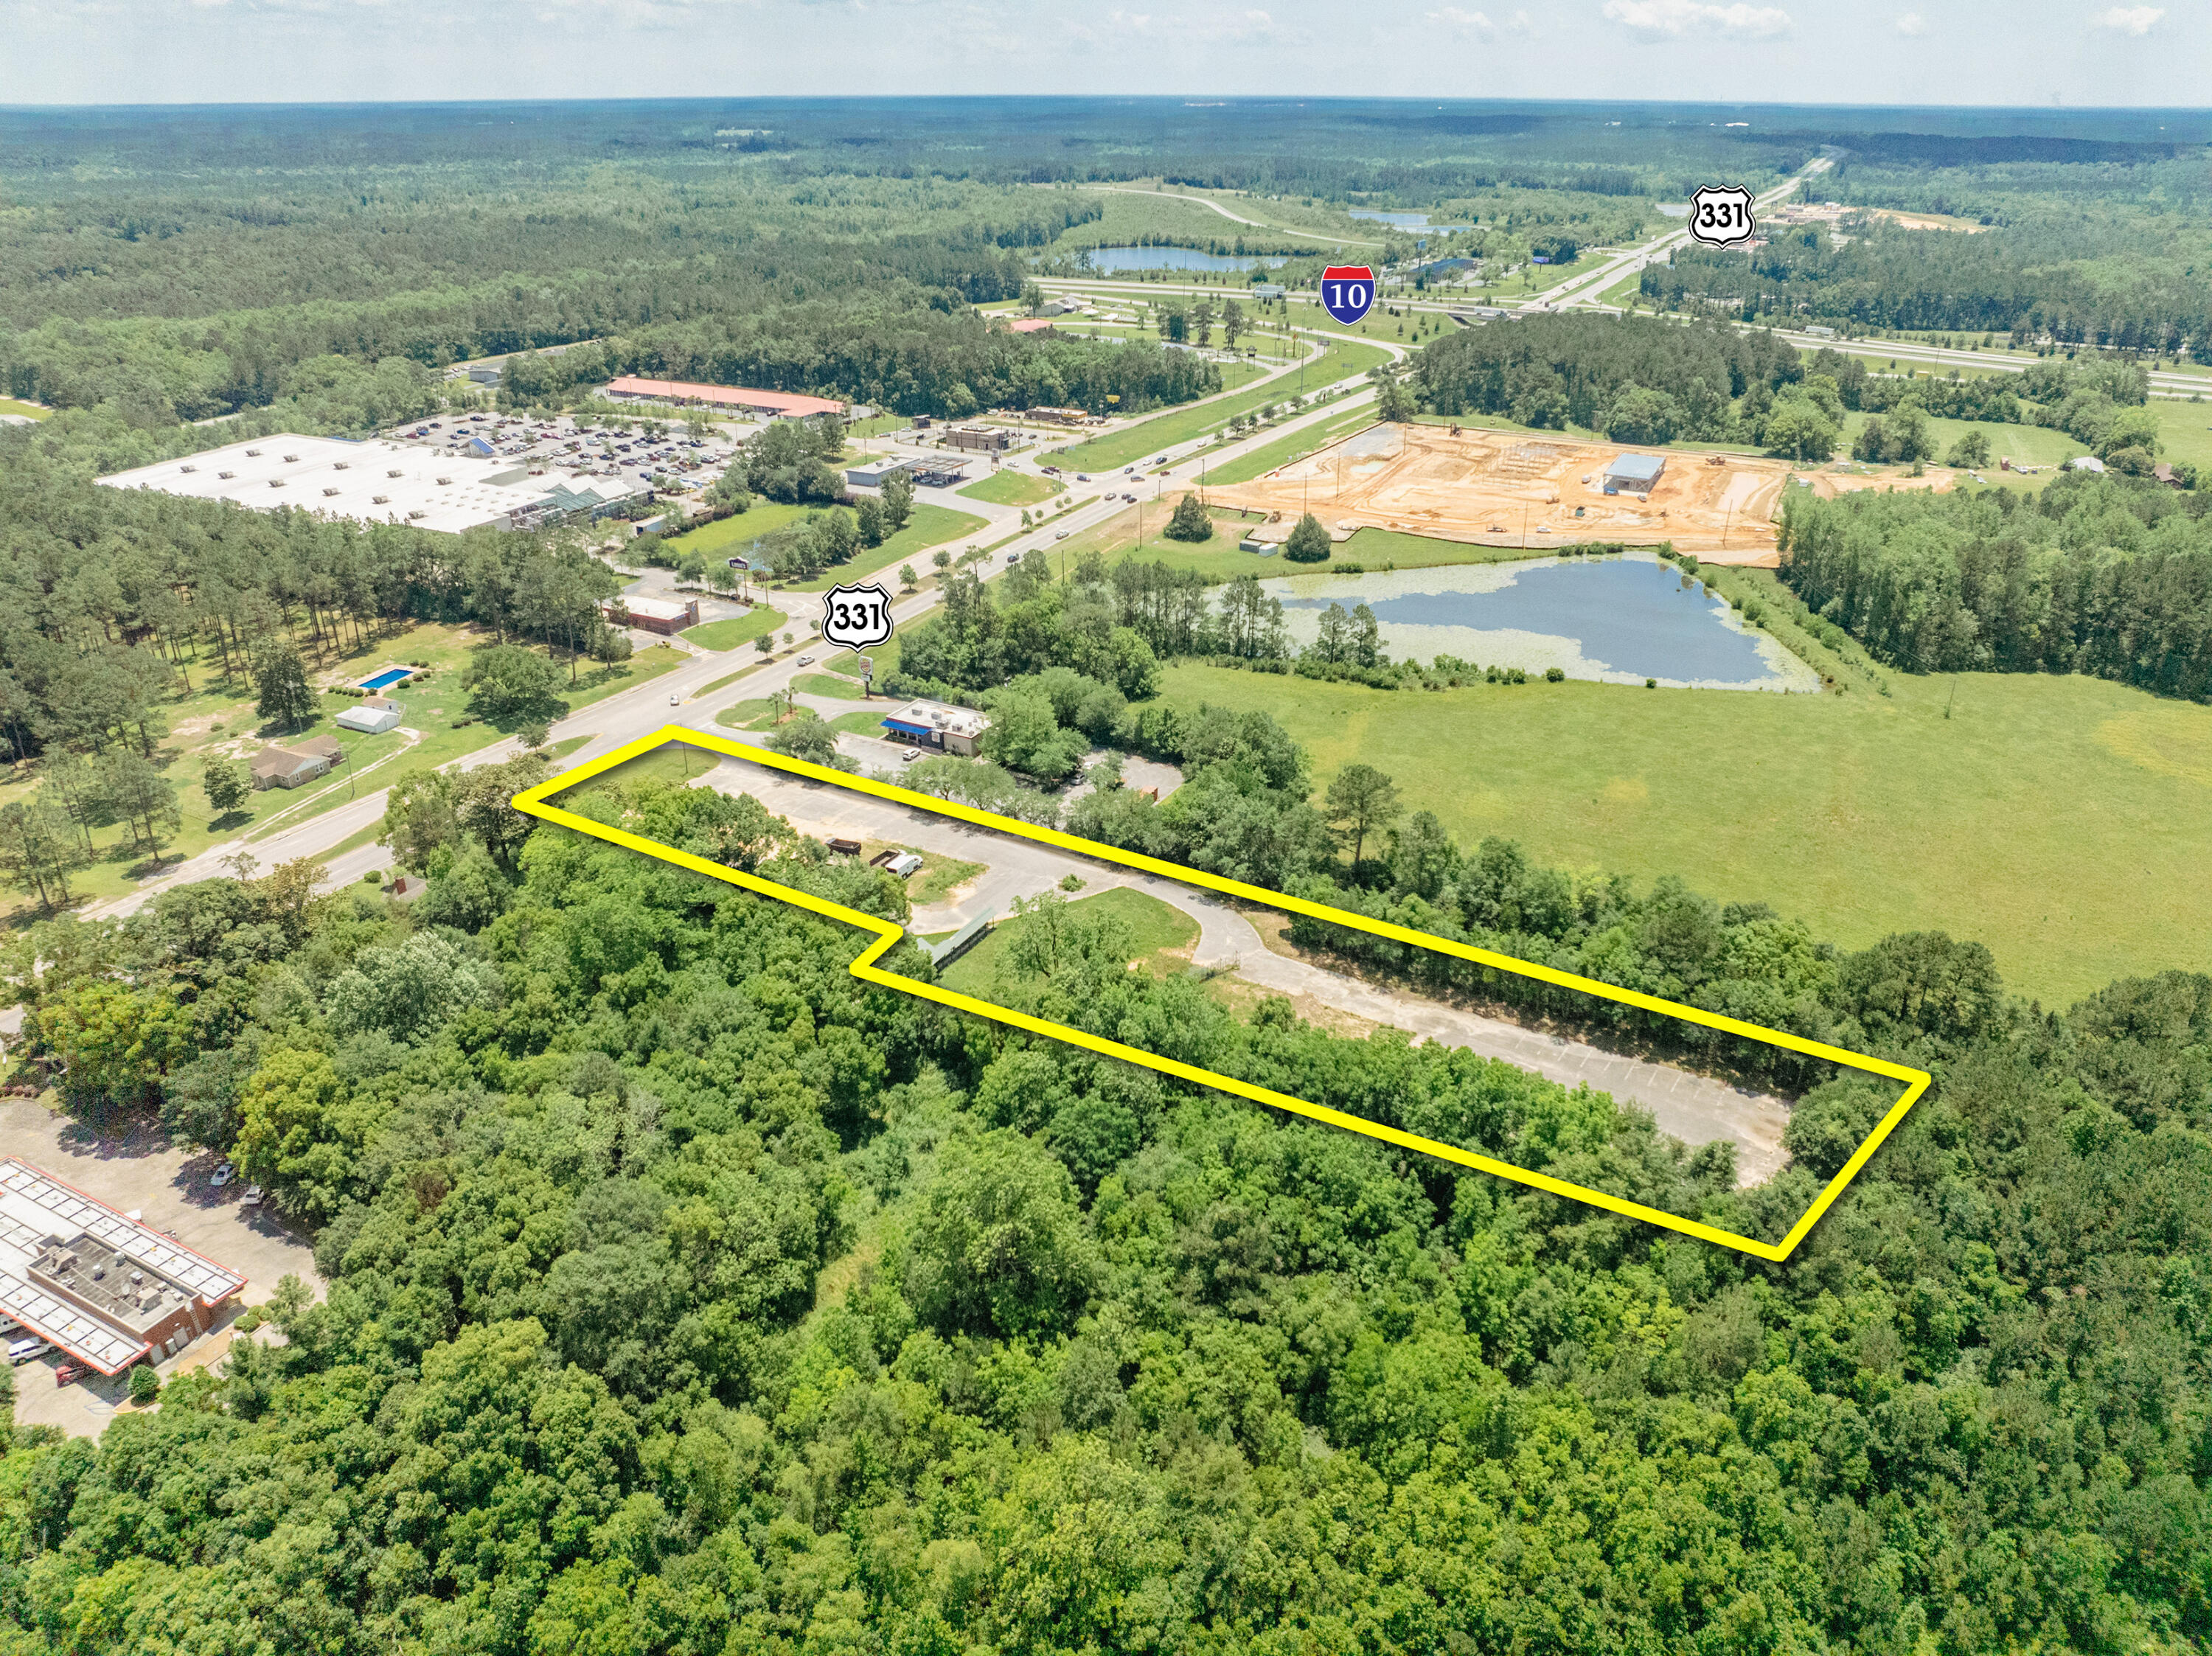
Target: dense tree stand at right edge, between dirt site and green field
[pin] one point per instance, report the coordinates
(2091, 576)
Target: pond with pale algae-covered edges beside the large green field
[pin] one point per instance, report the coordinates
(1616, 620)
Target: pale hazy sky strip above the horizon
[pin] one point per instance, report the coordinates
(1928, 52)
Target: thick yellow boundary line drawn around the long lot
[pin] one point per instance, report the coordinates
(888, 934)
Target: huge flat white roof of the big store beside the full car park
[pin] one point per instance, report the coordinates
(375, 483)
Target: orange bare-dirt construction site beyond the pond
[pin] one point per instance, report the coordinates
(1516, 490)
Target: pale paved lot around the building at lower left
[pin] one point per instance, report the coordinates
(169, 1188)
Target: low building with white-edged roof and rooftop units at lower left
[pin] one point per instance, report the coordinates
(98, 1283)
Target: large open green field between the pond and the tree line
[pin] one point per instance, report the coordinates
(2056, 819)
